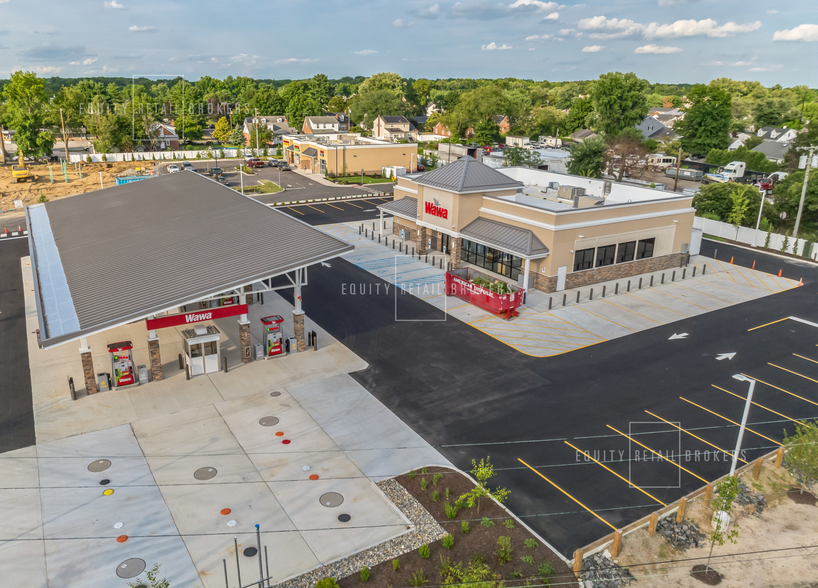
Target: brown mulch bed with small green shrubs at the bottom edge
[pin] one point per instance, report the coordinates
(480, 541)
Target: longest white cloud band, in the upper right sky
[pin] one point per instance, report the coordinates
(614, 28)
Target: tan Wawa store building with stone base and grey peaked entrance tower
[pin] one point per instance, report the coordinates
(541, 229)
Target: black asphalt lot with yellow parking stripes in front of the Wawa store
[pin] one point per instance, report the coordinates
(472, 396)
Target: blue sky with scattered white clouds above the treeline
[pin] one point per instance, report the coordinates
(665, 41)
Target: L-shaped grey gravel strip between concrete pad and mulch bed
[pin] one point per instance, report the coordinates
(425, 530)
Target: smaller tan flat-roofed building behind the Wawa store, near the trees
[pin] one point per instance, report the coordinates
(339, 153)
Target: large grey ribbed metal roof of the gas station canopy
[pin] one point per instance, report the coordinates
(125, 253)
